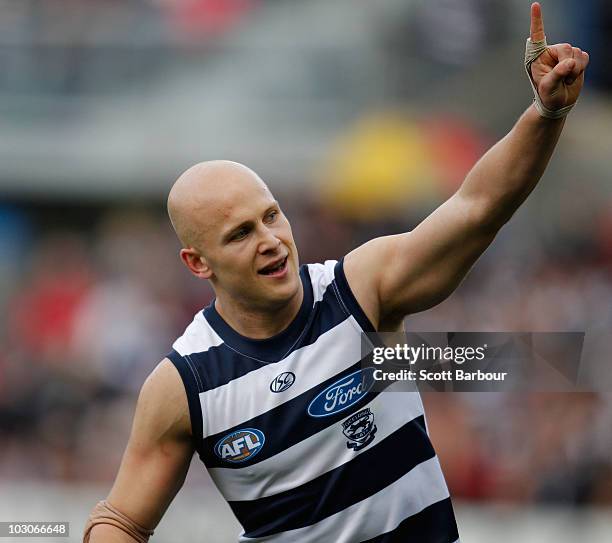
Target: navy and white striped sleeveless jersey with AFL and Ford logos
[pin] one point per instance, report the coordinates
(295, 439)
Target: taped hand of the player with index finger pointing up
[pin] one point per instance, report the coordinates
(558, 73)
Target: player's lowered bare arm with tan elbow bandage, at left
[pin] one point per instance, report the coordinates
(155, 461)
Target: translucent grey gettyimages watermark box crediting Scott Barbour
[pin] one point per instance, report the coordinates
(470, 361)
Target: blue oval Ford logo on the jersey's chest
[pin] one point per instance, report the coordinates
(342, 394)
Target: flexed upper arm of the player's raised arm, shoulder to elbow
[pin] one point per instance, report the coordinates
(406, 273)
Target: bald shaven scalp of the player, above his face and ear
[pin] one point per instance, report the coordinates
(203, 194)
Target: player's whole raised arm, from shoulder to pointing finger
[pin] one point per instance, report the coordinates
(393, 276)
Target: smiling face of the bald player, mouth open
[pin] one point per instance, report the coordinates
(249, 247)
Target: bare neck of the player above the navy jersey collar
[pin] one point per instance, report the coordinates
(259, 323)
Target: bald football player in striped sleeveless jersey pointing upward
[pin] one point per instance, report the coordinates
(265, 383)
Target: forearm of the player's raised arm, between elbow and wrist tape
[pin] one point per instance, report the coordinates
(501, 180)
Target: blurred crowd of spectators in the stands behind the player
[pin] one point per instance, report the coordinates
(92, 304)
